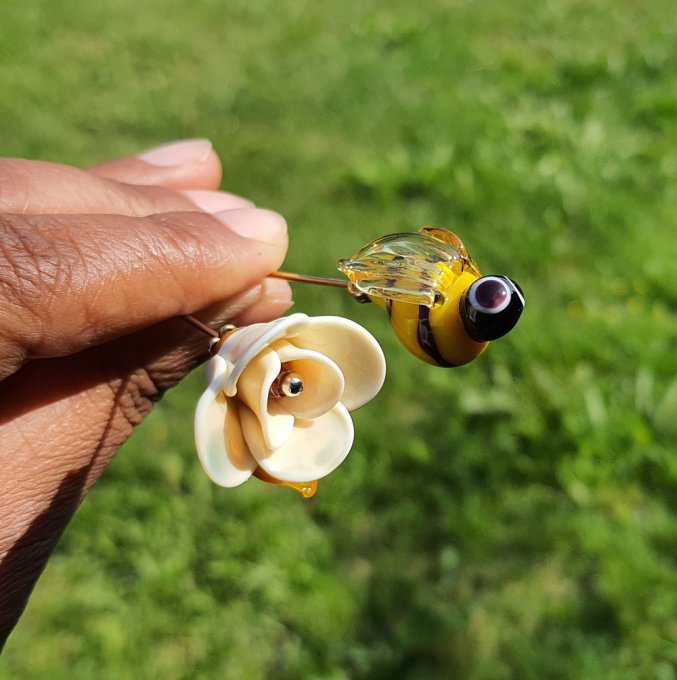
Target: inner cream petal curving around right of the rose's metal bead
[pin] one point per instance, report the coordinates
(323, 383)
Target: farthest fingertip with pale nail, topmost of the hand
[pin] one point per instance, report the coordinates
(188, 164)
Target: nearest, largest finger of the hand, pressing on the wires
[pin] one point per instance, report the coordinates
(69, 282)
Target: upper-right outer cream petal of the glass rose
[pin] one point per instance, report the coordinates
(353, 349)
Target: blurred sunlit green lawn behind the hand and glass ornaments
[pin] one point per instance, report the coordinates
(511, 519)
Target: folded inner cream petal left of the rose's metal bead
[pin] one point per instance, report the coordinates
(253, 388)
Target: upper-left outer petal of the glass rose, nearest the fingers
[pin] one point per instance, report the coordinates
(243, 344)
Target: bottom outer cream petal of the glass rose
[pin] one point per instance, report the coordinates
(314, 449)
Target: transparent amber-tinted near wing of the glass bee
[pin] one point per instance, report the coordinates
(404, 267)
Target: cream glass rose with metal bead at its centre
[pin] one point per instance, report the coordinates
(278, 400)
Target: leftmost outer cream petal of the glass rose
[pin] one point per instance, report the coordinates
(219, 440)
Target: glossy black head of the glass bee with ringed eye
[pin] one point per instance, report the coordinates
(491, 307)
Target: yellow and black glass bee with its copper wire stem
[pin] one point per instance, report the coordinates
(440, 306)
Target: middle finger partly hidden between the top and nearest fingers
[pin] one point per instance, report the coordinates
(38, 187)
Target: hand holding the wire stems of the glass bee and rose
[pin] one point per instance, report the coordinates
(95, 266)
